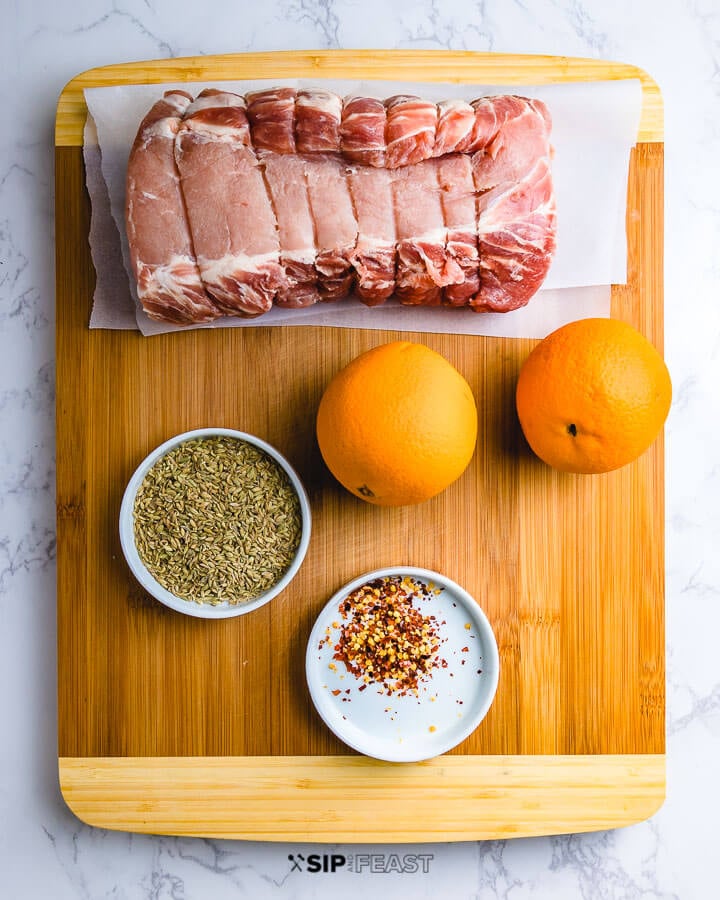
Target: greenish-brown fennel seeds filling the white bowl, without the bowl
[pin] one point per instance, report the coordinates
(217, 520)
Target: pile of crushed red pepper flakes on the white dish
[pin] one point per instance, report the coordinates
(385, 638)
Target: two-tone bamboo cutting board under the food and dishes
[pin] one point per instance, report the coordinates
(177, 725)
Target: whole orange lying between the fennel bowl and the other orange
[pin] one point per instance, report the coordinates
(397, 425)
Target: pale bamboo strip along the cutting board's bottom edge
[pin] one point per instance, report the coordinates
(330, 799)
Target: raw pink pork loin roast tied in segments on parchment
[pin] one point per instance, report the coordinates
(287, 198)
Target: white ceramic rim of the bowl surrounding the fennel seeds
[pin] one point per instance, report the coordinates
(147, 580)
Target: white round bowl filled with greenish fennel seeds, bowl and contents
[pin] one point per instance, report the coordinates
(214, 523)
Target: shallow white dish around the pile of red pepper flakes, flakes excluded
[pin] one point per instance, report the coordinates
(451, 701)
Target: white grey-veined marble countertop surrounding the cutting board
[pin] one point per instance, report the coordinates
(45, 852)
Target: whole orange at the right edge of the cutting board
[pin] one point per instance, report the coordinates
(593, 396)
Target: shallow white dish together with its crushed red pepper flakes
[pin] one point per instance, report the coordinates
(393, 671)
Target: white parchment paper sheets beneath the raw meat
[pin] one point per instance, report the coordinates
(595, 125)
